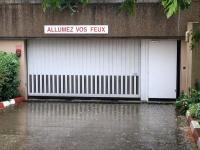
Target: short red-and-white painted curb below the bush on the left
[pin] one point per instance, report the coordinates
(14, 101)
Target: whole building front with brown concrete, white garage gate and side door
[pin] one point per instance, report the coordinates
(144, 56)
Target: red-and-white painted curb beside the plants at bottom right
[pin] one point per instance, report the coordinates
(195, 128)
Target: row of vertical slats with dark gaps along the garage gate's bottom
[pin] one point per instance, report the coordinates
(84, 85)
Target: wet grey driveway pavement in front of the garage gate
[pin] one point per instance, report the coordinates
(89, 126)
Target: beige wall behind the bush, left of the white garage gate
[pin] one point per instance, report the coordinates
(10, 46)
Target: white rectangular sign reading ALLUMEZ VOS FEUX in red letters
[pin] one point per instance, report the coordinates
(76, 29)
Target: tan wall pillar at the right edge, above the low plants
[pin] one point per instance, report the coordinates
(191, 59)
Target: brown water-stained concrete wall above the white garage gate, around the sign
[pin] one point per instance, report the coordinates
(28, 20)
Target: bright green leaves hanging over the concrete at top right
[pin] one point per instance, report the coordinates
(172, 6)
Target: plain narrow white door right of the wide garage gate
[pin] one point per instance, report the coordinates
(162, 68)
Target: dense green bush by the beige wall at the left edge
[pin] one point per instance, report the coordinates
(9, 66)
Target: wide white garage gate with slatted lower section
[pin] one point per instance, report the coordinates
(84, 67)
